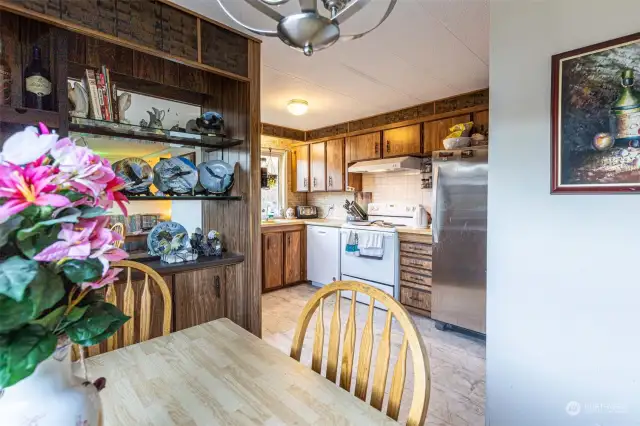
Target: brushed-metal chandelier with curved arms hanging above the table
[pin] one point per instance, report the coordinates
(309, 31)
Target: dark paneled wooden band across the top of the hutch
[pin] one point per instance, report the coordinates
(152, 26)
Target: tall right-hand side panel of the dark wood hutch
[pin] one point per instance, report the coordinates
(239, 221)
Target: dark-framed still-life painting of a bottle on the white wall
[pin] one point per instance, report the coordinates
(595, 116)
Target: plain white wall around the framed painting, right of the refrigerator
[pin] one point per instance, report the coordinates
(563, 295)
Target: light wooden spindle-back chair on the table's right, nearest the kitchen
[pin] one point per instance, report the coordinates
(412, 340)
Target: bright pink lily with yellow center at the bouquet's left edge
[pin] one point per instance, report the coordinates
(22, 188)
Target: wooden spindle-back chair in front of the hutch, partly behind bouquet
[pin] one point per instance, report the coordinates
(128, 303)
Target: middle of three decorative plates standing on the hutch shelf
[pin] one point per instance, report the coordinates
(175, 175)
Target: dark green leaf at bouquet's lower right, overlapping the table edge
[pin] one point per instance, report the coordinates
(100, 321)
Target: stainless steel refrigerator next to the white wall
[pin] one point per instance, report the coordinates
(459, 225)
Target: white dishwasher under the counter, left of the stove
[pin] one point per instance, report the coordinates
(323, 254)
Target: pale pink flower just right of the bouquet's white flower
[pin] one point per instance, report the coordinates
(83, 170)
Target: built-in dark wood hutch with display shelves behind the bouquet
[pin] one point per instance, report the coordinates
(159, 49)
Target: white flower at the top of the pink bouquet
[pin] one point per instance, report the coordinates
(26, 146)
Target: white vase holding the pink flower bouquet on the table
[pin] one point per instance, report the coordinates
(52, 396)
